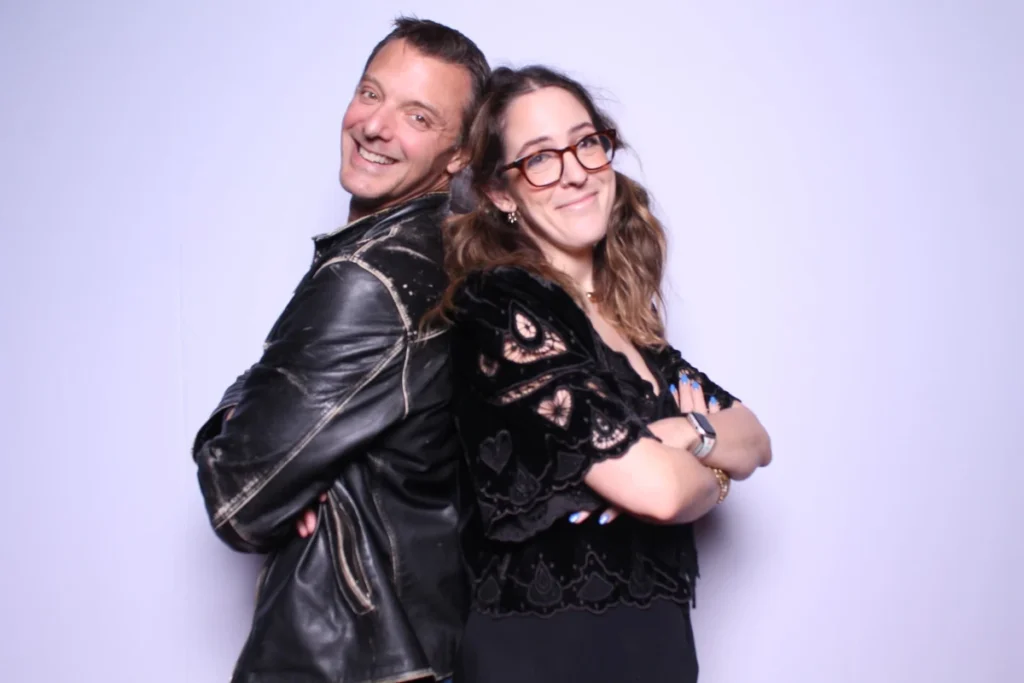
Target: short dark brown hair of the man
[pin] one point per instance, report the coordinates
(445, 44)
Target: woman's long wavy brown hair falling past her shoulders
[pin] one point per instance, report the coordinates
(628, 263)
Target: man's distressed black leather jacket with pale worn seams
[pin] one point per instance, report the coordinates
(349, 399)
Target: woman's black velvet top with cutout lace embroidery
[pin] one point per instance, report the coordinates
(539, 400)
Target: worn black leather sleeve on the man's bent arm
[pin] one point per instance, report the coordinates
(330, 380)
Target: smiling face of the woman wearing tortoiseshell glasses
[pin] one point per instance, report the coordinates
(570, 217)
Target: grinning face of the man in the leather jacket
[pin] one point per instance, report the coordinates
(400, 133)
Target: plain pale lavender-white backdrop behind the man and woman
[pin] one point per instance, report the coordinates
(843, 186)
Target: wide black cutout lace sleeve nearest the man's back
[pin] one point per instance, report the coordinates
(535, 410)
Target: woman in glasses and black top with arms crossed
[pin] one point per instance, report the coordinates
(570, 401)
